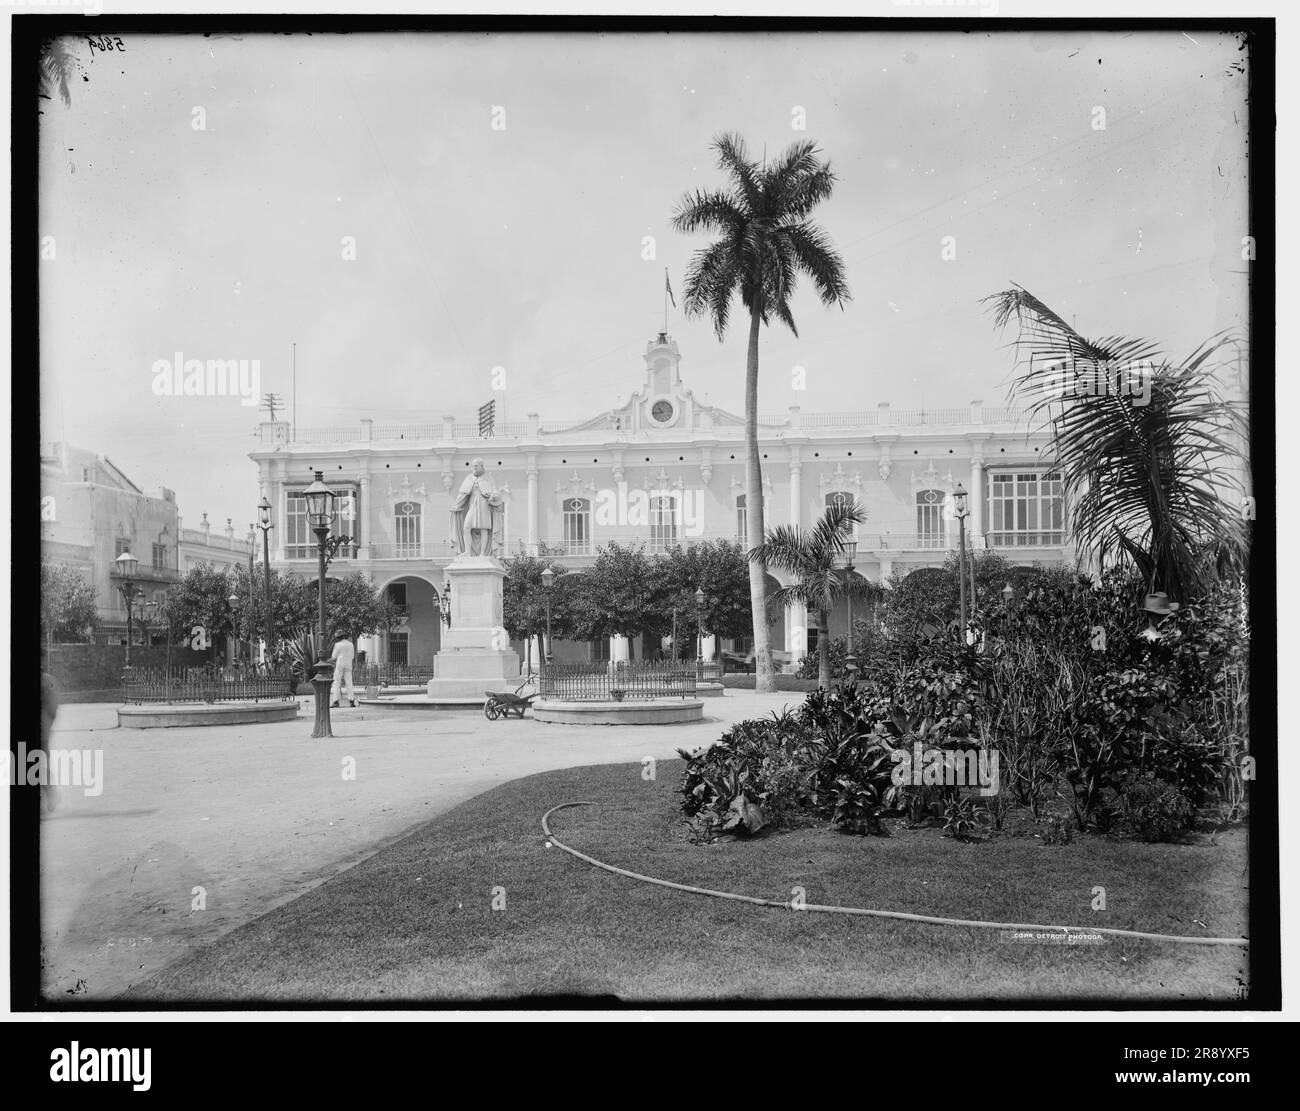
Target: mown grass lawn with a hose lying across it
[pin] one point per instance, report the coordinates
(417, 922)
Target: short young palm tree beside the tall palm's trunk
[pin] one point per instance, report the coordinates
(813, 558)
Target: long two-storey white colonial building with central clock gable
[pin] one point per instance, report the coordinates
(664, 470)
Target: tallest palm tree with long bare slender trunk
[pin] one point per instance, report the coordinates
(766, 242)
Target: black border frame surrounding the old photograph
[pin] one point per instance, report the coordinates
(1264, 861)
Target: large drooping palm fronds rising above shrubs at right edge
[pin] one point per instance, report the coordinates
(1143, 474)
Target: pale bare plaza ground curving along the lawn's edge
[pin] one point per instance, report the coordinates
(257, 815)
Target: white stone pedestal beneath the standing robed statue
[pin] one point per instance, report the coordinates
(476, 656)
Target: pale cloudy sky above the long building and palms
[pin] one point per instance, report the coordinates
(352, 196)
